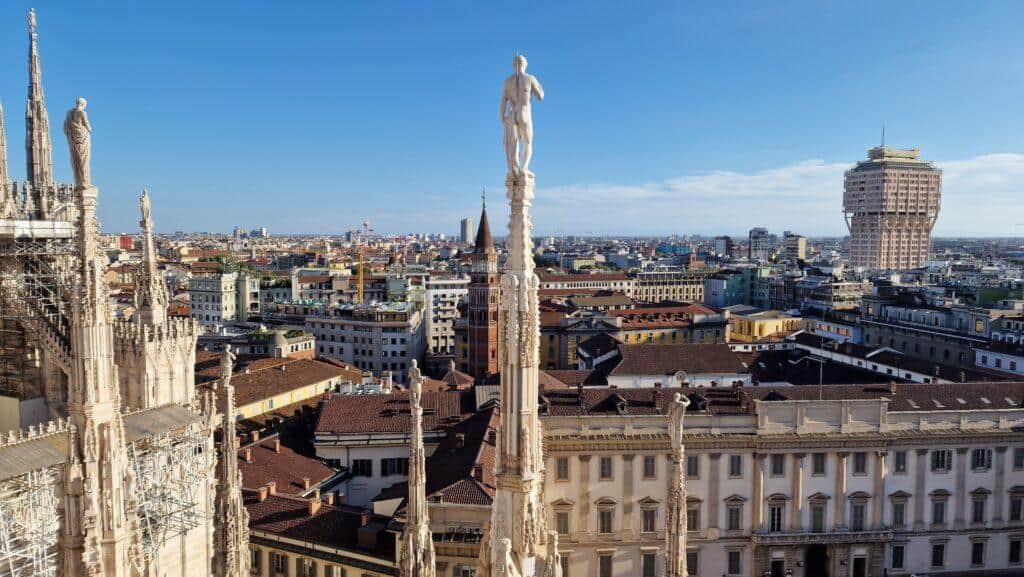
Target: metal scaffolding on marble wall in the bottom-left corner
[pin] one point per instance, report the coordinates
(29, 528)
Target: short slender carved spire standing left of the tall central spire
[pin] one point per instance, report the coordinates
(417, 543)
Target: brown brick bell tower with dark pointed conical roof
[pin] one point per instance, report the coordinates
(483, 304)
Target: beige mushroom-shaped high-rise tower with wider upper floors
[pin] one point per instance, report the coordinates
(891, 202)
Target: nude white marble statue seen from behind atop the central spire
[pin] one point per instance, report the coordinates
(516, 115)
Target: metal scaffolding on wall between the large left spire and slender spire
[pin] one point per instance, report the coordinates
(172, 471)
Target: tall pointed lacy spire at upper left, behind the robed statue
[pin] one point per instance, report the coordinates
(39, 156)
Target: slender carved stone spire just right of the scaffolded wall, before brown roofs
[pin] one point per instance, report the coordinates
(232, 539)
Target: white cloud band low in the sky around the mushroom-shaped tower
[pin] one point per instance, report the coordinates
(982, 196)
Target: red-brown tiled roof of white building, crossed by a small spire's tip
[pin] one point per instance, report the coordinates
(390, 414)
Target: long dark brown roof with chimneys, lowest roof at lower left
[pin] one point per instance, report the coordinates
(333, 525)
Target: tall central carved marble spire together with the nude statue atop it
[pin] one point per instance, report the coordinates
(518, 543)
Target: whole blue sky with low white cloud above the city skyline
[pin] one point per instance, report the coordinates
(660, 117)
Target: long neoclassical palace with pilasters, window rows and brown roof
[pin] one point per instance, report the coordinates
(834, 481)
